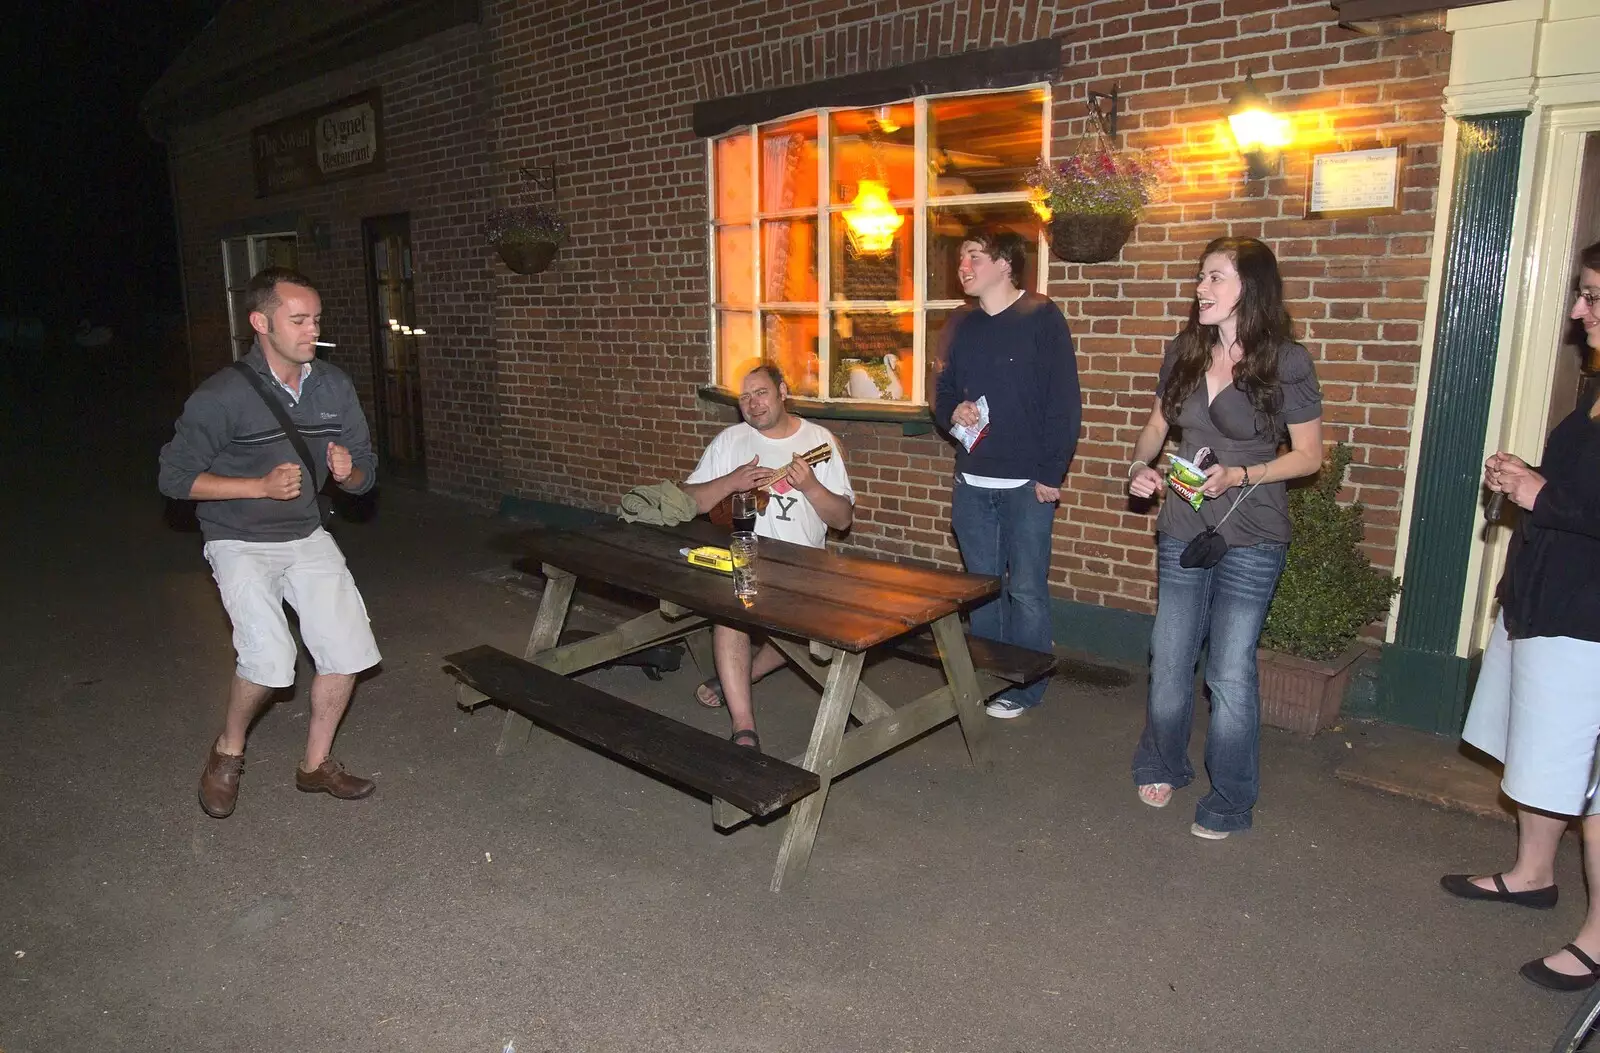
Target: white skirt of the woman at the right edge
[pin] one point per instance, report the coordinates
(1537, 708)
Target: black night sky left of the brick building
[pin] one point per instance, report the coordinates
(86, 212)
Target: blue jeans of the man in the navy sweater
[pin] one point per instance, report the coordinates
(1007, 534)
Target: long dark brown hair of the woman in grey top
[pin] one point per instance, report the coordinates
(1263, 330)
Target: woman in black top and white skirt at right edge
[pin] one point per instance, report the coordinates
(1537, 705)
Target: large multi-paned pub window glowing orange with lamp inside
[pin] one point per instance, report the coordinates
(836, 236)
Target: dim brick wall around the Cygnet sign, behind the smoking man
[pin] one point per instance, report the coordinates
(434, 127)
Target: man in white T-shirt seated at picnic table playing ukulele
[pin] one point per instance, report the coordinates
(804, 505)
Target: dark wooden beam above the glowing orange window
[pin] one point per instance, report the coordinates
(972, 71)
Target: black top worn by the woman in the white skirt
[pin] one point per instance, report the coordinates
(1551, 587)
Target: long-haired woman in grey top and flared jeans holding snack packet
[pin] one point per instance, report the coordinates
(1233, 382)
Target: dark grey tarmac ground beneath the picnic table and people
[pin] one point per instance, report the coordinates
(554, 900)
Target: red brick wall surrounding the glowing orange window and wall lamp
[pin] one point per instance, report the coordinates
(601, 358)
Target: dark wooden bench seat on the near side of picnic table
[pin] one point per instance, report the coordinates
(746, 779)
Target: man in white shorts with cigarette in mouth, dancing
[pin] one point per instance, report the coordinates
(262, 521)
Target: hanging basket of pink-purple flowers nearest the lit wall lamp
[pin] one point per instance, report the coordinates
(1094, 199)
